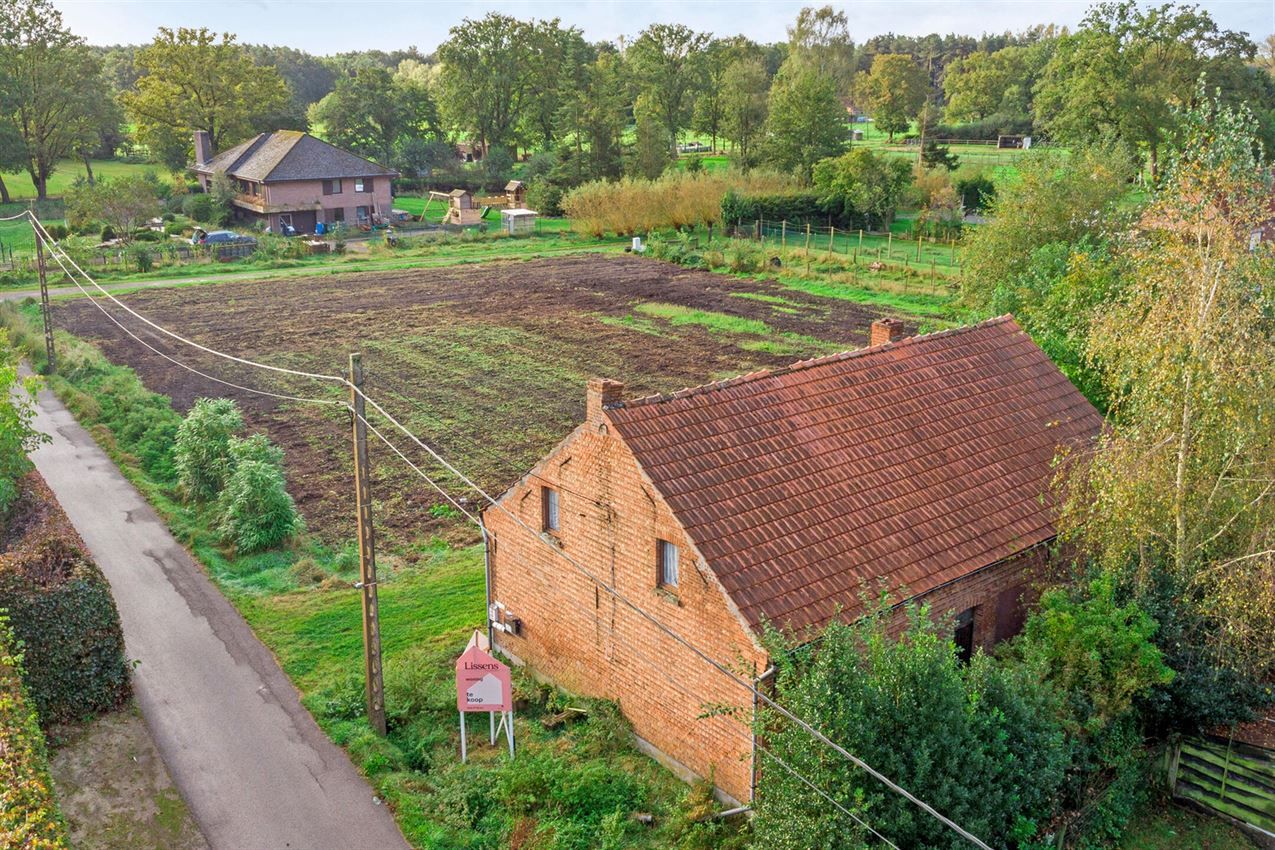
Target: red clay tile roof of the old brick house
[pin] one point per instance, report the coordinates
(916, 463)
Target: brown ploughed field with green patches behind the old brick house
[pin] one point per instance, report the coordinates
(486, 363)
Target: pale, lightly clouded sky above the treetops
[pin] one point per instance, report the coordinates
(337, 26)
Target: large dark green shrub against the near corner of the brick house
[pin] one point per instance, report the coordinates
(910, 709)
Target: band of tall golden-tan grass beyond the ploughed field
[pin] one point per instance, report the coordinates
(675, 201)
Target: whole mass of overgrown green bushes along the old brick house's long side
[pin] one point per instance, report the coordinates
(1009, 747)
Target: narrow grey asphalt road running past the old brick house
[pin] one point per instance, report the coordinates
(252, 764)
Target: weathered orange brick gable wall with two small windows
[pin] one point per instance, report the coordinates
(578, 637)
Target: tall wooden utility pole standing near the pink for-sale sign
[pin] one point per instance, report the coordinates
(367, 555)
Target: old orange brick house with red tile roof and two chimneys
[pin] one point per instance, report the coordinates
(919, 466)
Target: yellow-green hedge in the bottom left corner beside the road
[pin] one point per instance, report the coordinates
(30, 818)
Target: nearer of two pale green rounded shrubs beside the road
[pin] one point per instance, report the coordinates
(256, 509)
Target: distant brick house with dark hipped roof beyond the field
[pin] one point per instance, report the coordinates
(291, 178)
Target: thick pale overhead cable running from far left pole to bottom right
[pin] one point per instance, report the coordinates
(582, 569)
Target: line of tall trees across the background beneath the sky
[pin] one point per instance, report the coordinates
(605, 110)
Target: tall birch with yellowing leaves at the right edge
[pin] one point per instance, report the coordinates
(1184, 481)
